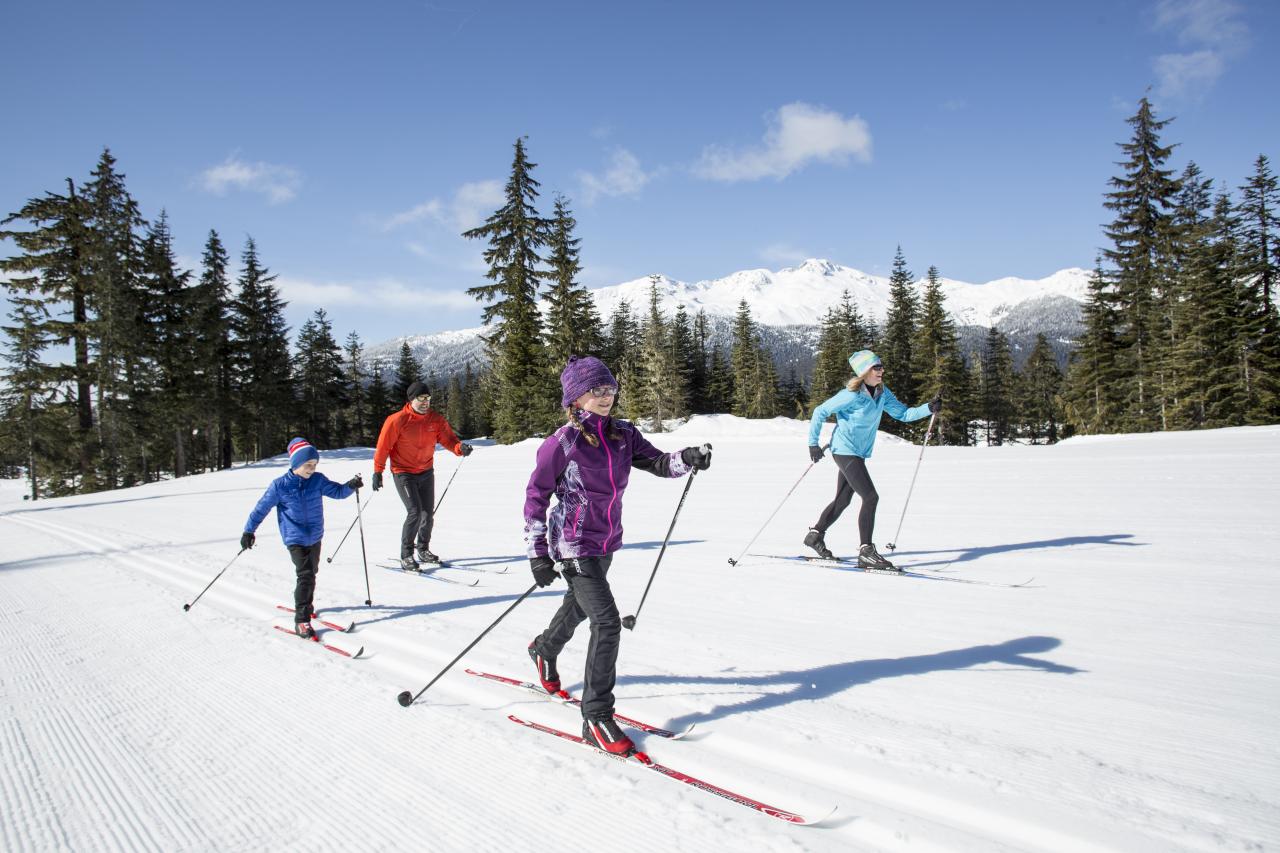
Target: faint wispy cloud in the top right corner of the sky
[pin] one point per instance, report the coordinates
(1213, 28)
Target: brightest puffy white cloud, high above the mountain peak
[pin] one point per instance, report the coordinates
(799, 134)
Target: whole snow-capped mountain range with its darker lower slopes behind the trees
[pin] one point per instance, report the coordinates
(790, 304)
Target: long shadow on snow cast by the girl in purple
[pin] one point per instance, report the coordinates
(824, 682)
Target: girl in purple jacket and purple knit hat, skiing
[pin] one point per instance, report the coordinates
(587, 466)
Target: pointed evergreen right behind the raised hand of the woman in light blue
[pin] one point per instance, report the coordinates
(939, 368)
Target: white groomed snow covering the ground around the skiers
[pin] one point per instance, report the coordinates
(1126, 701)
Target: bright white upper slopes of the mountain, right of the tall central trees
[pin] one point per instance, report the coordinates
(802, 295)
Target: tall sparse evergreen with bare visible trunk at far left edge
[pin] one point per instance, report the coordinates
(57, 250)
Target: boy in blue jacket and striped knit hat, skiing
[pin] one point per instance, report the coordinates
(298, 501)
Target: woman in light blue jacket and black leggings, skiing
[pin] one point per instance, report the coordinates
(858, 413)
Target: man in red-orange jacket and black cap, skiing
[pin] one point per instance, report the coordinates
(409, 440)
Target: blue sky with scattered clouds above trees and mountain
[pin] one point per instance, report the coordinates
(355, 142)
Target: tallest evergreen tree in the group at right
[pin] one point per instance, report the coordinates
(1141, 235)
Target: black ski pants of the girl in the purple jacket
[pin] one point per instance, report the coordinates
(588, 597)
